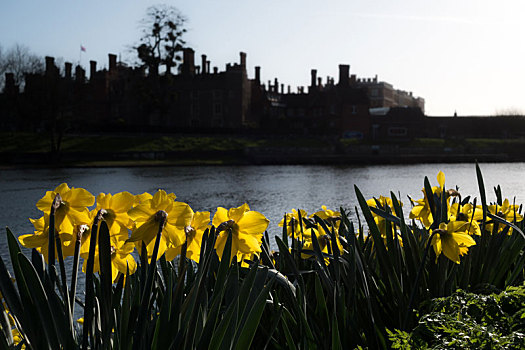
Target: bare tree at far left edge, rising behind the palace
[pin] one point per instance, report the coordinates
(19, 60)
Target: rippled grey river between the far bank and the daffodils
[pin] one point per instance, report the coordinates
(271, 190)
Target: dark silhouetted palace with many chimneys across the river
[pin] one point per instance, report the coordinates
(205, 100)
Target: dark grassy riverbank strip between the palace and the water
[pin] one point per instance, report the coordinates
(128, 150)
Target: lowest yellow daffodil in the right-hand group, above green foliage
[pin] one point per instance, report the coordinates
(452, 239)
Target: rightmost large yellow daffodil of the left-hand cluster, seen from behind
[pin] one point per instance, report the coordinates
(247, 228)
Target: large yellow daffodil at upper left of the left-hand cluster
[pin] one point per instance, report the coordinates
(73, 207)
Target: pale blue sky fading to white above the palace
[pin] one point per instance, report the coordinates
(466, 56)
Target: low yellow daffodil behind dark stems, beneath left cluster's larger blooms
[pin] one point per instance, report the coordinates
(121, 258)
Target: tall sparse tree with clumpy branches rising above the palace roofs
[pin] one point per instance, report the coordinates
(161, 41)
